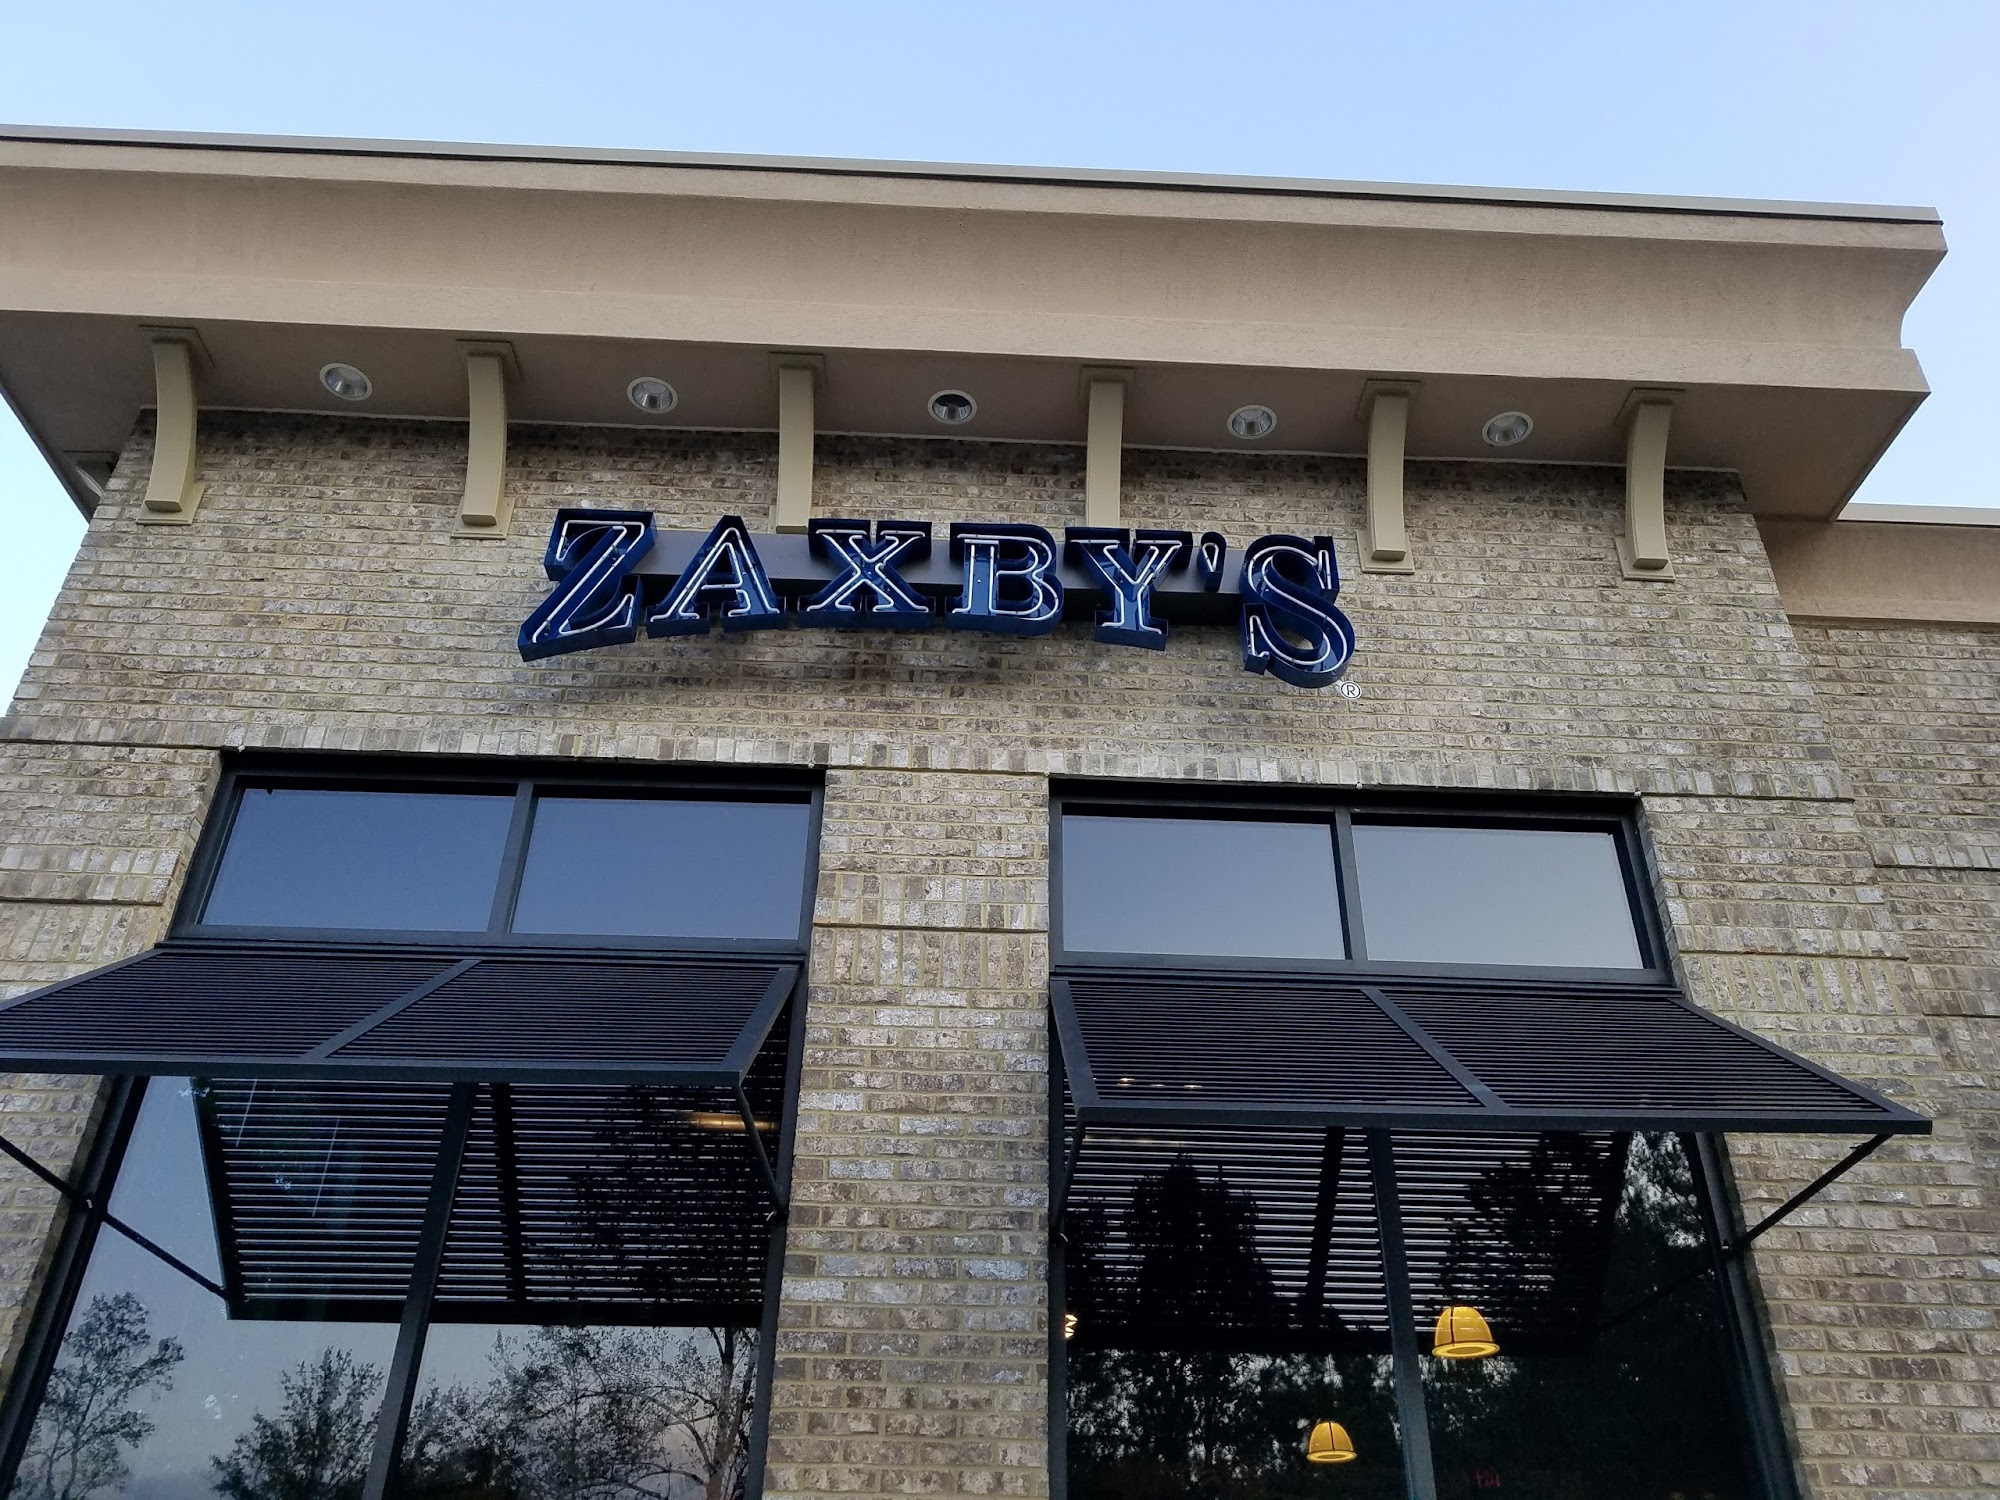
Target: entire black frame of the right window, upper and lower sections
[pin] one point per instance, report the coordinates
(1723, 1225)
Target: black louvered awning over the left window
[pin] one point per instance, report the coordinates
(345, 1011)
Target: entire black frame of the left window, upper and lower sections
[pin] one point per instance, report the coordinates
(95, 1179)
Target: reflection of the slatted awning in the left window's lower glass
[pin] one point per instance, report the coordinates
(577, 1203)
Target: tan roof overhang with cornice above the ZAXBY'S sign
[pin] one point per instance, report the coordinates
(1779, 323)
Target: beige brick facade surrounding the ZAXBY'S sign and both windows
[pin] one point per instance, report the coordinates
(1819, 805)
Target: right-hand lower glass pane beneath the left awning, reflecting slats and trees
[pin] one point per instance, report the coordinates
(607, 1259)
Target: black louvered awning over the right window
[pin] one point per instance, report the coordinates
(1303, 1051)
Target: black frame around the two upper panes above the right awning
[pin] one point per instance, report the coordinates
(1603, 815)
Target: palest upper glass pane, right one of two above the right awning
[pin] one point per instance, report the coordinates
(1495, 897)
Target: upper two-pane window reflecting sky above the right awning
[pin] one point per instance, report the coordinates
(1369, 885)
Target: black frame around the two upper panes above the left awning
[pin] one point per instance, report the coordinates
(525, 783)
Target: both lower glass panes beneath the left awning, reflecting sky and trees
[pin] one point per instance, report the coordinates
(593, 1329)
